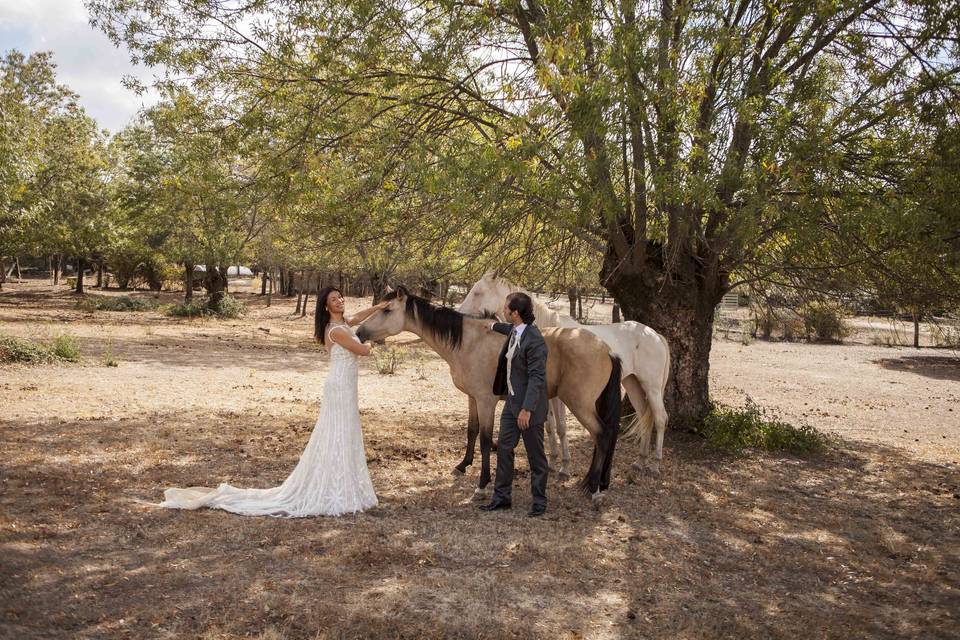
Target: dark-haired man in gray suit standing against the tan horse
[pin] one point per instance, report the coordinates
(522, 376)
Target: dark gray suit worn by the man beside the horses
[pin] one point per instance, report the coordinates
(528, 377)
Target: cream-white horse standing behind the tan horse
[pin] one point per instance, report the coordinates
(644, 353)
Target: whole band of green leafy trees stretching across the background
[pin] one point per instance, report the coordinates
(664, 151)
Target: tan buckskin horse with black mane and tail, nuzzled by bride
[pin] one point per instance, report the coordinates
(580, 371)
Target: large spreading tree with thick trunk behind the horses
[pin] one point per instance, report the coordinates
(676, 138)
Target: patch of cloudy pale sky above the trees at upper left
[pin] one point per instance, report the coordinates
(87, 62)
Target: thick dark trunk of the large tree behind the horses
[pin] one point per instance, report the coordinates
(681, 308)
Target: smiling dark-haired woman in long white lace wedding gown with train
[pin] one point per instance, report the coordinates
(331, 477)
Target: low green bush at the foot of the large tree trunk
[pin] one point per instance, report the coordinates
(752, 428)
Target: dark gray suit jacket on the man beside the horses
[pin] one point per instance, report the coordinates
(528, 373)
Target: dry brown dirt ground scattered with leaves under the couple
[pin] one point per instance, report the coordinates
(859, 542)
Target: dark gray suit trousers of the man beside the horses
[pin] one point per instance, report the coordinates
(510, 435)
